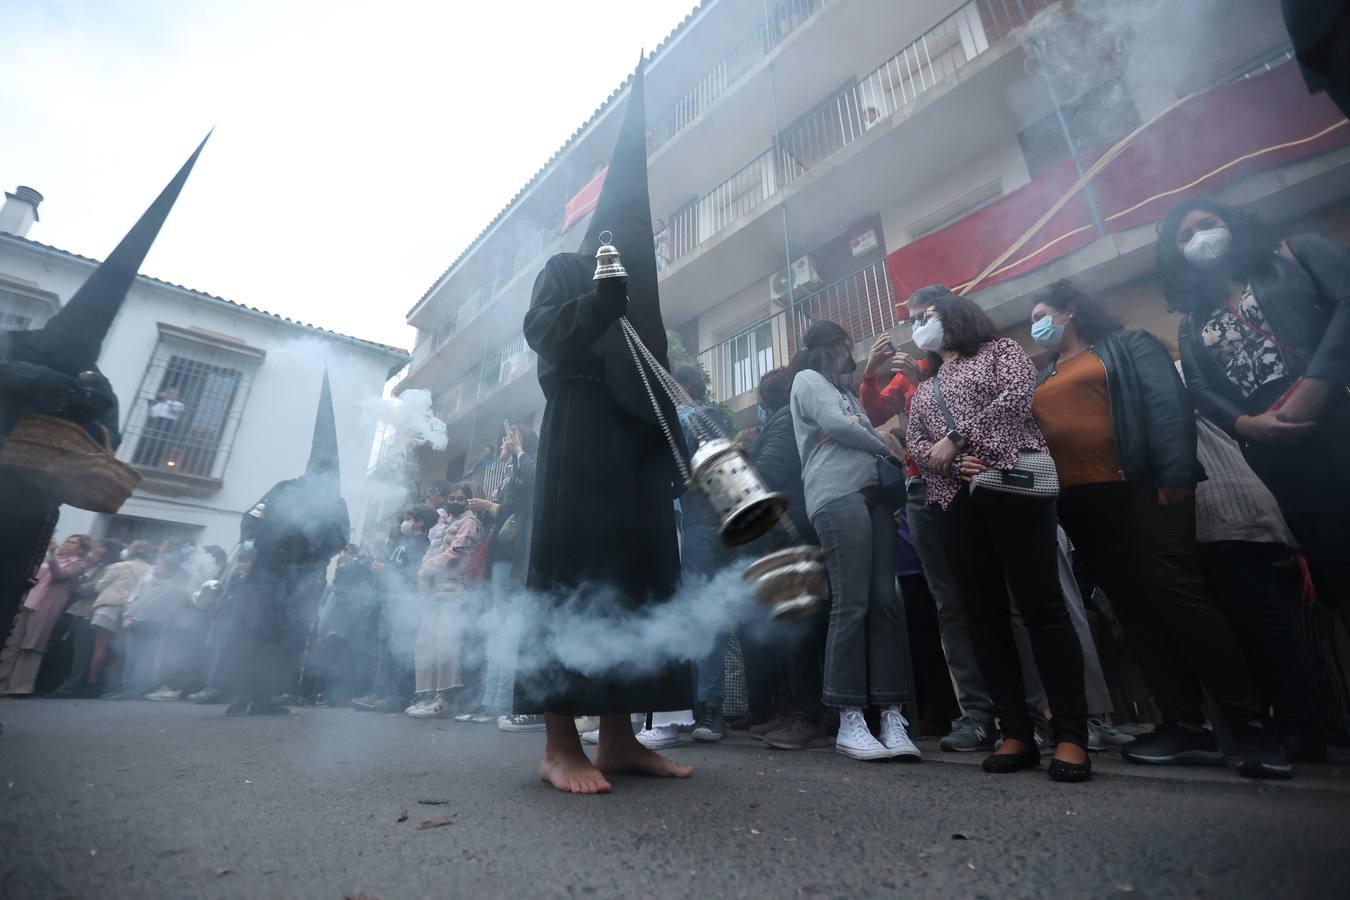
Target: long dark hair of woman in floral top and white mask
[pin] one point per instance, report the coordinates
(1193, 289)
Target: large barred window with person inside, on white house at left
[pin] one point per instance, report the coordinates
(191, 400)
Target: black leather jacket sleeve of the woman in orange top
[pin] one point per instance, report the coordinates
(1170, 412)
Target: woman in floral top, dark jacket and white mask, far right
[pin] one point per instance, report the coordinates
(1266, 349)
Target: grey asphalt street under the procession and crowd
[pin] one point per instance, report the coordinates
(138, 799)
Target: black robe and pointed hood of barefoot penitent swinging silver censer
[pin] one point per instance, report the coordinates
(604, 539)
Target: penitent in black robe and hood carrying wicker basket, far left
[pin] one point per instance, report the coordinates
(53, 372)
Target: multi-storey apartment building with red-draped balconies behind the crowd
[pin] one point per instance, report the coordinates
(824, 159)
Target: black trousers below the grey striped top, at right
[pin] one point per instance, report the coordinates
(1247, 585)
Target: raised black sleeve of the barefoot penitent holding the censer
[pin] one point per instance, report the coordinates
(566, 314)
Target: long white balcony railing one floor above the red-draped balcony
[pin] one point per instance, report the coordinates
(920, 67)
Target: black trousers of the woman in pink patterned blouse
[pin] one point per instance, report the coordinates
(1001, 543)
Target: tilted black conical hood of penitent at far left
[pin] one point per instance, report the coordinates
(76, 334)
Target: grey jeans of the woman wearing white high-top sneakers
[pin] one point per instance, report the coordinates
(867, 648)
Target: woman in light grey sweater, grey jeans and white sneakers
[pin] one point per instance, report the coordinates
(867, 646)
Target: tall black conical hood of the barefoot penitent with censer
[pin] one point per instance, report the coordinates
(626, 210)
